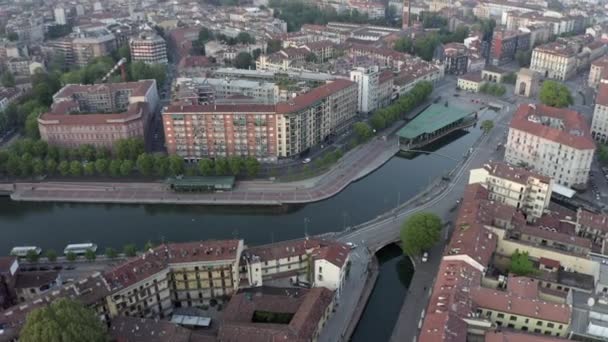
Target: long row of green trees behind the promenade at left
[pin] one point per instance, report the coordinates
(28, 158)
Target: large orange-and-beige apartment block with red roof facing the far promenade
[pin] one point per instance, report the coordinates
(266, 132)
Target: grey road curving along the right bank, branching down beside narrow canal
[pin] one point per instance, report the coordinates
(440, 198)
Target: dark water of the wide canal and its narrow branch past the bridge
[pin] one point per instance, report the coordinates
(53, 225)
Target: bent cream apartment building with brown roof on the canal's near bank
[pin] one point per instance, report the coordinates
(173, 276)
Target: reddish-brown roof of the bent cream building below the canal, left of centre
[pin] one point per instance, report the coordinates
(161, 257)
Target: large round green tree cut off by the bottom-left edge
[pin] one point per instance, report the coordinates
(65, 320)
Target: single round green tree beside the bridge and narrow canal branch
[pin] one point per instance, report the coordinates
(420, 232)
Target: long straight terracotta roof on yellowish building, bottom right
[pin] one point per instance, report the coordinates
(515, 304)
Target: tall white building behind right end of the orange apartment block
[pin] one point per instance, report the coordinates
(367, 80)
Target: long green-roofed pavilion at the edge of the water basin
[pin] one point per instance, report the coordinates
(433, 123)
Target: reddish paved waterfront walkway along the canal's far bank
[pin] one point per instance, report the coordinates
(355, 165)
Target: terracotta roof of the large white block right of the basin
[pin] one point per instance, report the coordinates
(572, 122)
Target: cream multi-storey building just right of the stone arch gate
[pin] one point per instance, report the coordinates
(554, 60)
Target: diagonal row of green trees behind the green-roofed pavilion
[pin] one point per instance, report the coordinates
(384, 117)
